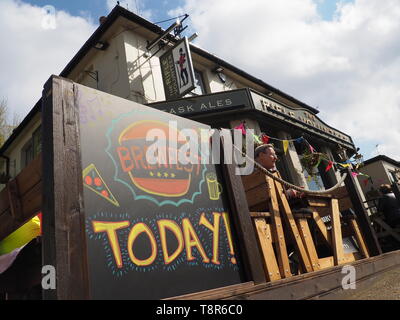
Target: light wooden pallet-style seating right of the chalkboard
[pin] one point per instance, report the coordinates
(278, 227)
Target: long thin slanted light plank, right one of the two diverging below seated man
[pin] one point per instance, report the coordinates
(287, 213)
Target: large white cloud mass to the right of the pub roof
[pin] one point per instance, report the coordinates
(349, 67)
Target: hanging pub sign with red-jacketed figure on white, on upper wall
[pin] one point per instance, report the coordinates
(177, 70)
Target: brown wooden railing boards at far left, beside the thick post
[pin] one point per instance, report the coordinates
(22, 198)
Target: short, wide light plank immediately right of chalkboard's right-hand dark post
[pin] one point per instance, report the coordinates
(265, 241)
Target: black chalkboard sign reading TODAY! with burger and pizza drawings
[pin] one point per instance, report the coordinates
(153, 230)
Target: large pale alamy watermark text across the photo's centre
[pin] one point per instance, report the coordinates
(196, 146)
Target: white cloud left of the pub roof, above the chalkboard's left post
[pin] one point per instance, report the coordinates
(30, 54)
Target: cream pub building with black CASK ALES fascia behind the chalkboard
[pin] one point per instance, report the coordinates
(117, 60)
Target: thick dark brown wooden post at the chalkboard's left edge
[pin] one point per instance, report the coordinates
(64, 240)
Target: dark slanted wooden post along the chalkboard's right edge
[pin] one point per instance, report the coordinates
(247, 241)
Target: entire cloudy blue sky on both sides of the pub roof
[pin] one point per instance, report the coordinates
(339, 56)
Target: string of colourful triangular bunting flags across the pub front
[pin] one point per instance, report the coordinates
(265, 139)
